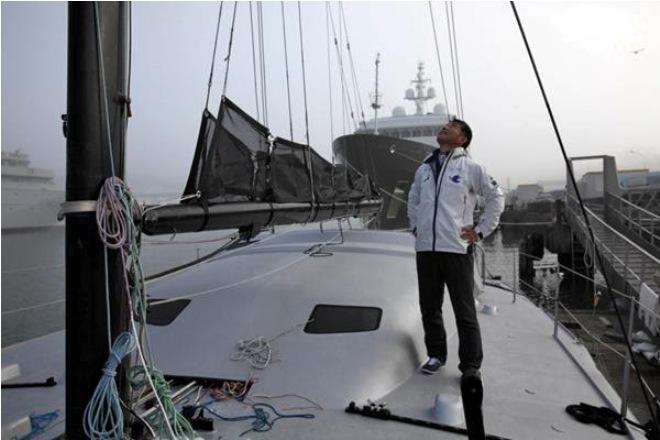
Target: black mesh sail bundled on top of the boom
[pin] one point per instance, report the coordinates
(233, 162)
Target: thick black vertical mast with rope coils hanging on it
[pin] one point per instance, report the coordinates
(88, 165)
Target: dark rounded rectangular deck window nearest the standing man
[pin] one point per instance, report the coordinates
(328, 318)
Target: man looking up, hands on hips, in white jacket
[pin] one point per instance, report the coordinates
(440, 205)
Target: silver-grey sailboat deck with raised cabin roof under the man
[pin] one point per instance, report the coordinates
(272, 287)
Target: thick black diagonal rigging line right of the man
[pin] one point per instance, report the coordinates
(584, 213)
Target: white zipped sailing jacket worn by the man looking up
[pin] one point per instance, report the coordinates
(438, 210)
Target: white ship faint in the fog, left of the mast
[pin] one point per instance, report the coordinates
(30, 197)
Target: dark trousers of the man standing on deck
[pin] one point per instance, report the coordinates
(434, 270)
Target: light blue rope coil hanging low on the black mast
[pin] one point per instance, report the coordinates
(103, 418)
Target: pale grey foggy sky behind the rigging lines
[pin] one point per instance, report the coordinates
(605, 97)
